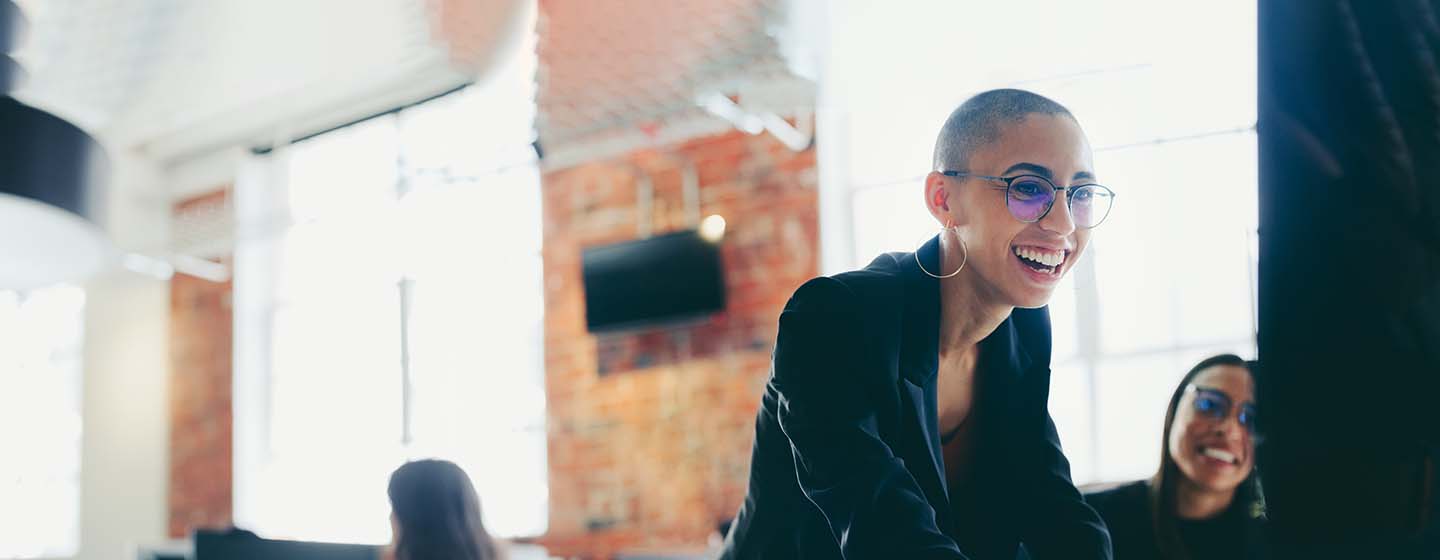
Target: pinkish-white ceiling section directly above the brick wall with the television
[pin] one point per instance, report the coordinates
(626, 74)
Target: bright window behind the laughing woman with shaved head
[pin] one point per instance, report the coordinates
(1171, 280)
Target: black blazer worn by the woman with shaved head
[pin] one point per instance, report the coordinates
(847, 460)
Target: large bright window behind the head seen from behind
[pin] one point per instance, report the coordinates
(395, 313)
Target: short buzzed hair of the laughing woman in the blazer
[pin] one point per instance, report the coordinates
(978, 123)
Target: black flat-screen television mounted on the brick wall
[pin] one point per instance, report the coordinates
(656, 281)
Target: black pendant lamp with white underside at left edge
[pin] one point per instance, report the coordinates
(51, 176)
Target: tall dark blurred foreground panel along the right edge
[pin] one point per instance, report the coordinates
(1350, 276)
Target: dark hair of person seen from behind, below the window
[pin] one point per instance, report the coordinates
(438, 513)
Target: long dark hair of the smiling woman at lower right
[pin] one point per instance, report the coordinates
(1248, 499)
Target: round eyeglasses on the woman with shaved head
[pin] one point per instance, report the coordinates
(1030, 198)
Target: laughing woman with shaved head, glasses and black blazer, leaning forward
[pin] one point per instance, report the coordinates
(906, 412)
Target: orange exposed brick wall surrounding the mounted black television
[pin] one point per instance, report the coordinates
(656, 451)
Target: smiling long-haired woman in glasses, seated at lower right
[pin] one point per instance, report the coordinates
(1205, 502)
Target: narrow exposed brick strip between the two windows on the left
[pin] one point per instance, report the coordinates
(199, 399)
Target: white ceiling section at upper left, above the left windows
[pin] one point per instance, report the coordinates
(181, 78)
